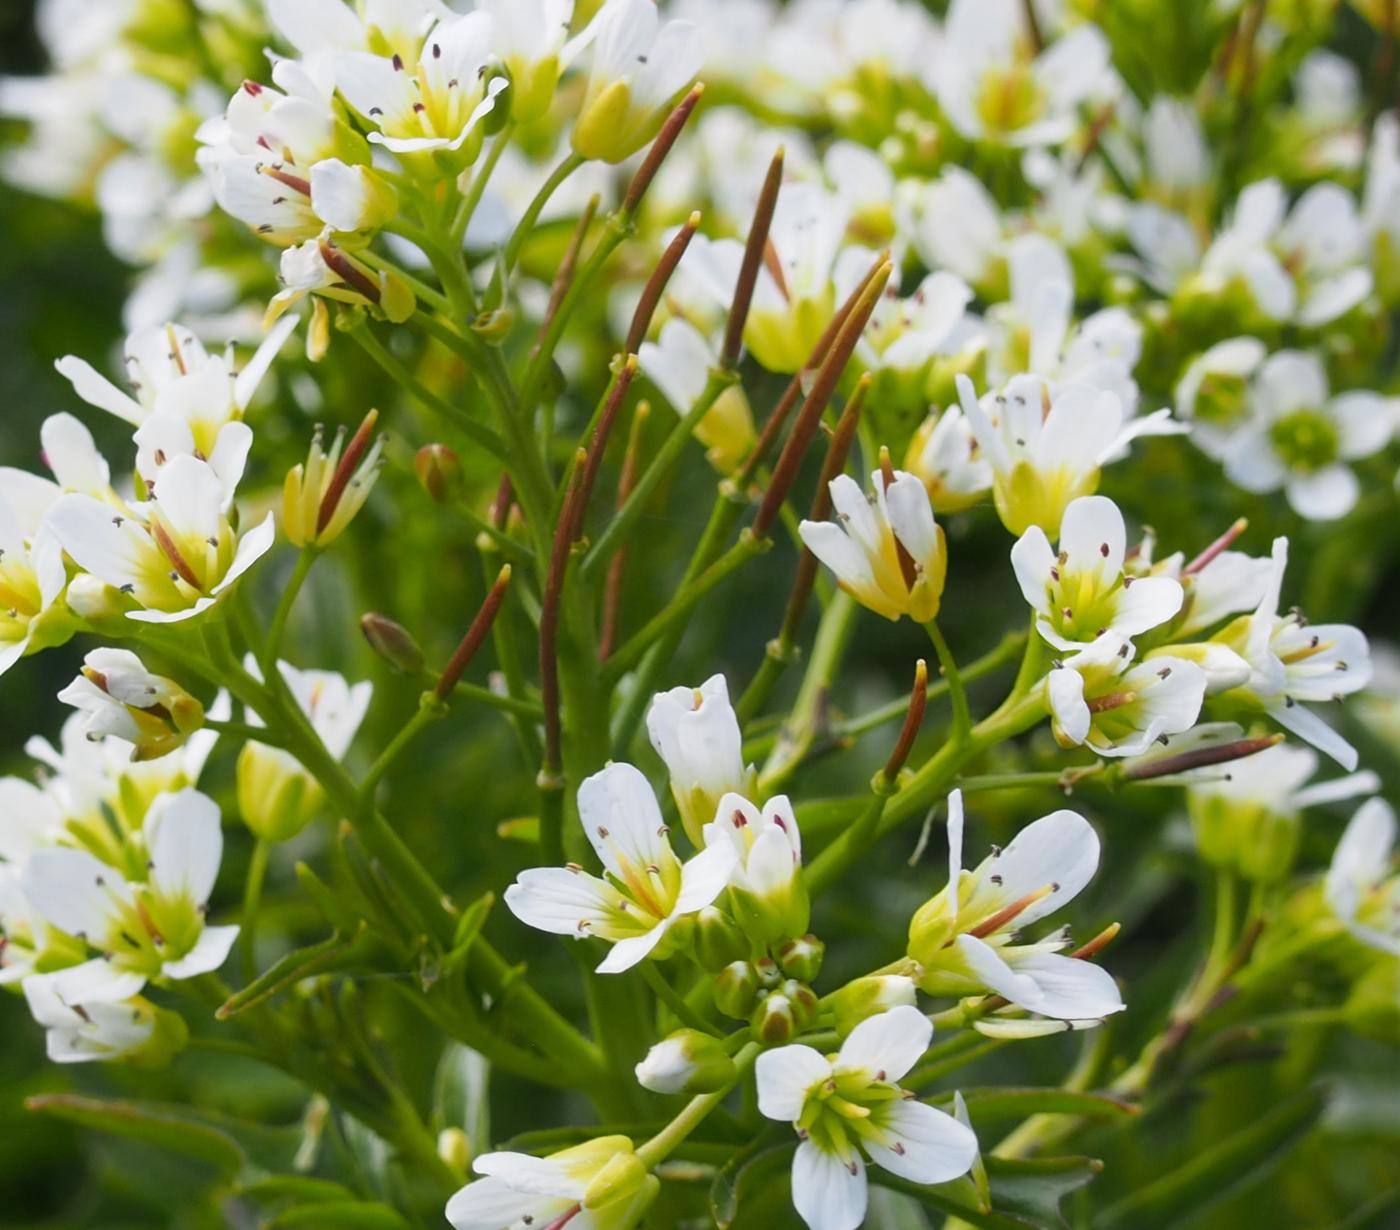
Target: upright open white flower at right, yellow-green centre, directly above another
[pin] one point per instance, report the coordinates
(1083, 591)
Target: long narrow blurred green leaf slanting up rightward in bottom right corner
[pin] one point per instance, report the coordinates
(1235, 1162)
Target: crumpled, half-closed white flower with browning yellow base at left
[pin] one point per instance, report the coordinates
(121, 698)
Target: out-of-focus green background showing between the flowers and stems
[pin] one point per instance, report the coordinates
(61, 293)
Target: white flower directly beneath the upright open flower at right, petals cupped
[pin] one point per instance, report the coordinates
(1100, 699)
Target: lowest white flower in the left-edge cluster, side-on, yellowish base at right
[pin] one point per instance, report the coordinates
(90, 1024)
